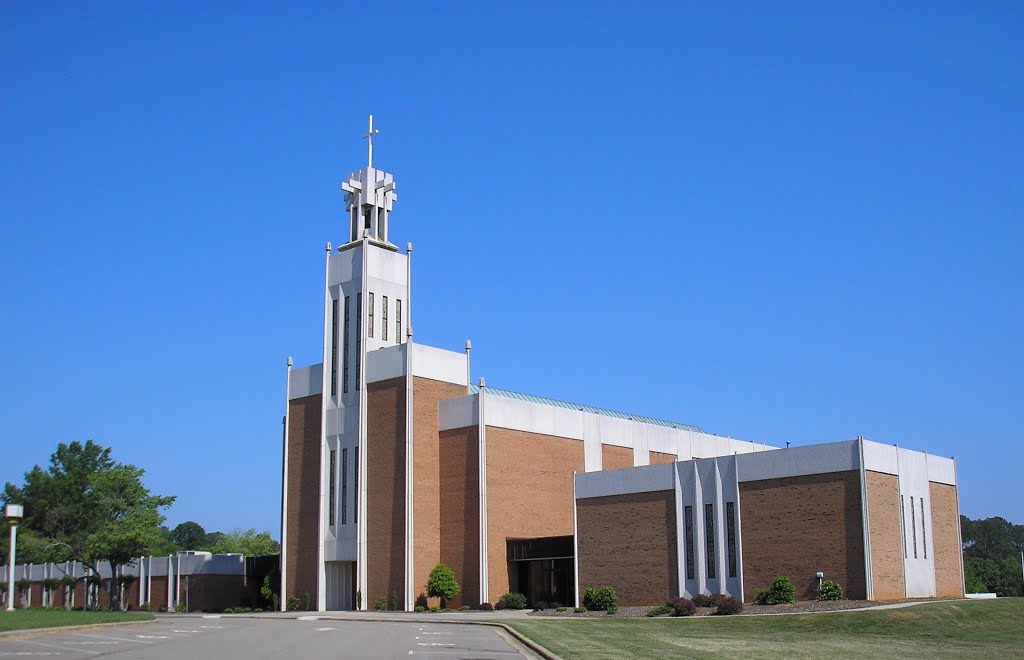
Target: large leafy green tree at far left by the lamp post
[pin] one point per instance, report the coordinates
(87, 507)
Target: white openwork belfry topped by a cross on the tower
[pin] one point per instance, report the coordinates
(369, 198)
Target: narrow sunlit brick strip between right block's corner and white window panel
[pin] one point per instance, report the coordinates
(887, 544)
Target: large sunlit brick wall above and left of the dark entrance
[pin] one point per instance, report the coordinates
(530, 494)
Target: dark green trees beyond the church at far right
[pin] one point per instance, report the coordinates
(993, 556)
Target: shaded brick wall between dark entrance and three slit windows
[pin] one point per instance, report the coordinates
(629, 542)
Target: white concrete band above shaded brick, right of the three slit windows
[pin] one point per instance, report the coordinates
(795, 462)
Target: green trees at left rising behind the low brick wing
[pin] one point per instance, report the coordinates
(88, 508)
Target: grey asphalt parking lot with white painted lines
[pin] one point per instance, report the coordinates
(266, 638)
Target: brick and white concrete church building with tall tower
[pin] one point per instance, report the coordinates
(395, 462)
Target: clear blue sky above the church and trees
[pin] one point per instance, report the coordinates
(776, 222)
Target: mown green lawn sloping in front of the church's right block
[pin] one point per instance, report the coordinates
(963, 629)
